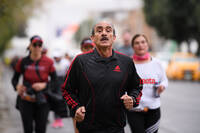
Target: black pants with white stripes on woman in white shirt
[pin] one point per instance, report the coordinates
(144, 122)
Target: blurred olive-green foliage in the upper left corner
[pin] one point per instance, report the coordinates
(13, 16)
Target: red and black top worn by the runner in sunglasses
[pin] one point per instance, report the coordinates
(29, 68)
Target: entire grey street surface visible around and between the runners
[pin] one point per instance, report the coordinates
(180, 109)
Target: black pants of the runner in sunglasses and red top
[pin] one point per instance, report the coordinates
(33, 112)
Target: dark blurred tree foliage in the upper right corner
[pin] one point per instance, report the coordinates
(178, 20)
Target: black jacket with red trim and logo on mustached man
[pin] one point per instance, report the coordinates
(98, 83)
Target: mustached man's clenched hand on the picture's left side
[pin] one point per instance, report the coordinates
(80, 114)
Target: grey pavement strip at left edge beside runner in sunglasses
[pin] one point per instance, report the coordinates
(9, 116)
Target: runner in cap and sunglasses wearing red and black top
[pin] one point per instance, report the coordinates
(36, 68)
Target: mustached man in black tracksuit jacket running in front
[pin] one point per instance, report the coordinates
(101, 85)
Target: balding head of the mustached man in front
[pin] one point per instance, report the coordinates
(103, 35)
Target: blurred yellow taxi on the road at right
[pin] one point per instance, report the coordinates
(183, 66)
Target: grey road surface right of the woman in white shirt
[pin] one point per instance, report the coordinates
(181, 108)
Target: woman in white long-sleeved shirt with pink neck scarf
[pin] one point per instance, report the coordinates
(146, 117)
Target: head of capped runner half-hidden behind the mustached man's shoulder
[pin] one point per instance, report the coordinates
(87, 44)
